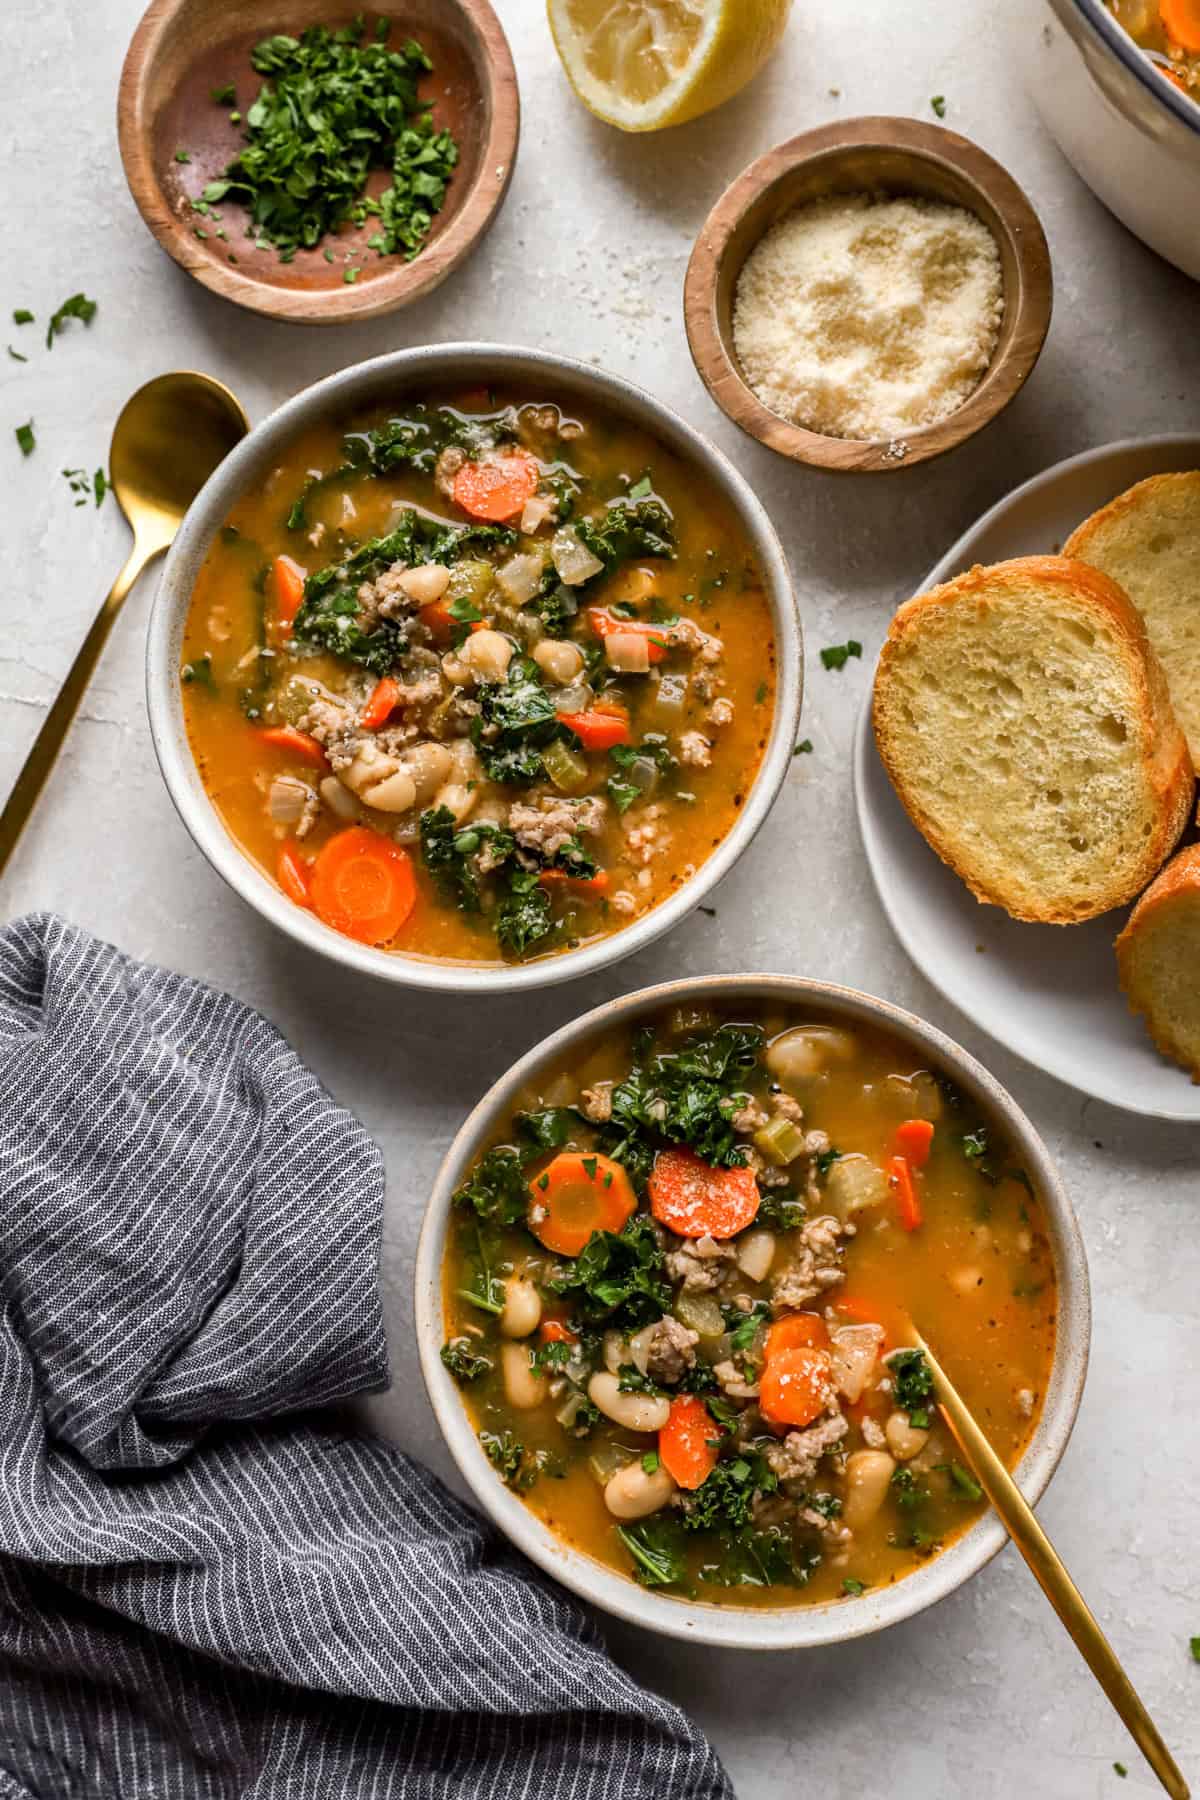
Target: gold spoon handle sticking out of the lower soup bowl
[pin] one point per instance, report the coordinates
(1052, 1576)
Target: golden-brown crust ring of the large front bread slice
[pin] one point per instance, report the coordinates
(1165, 748)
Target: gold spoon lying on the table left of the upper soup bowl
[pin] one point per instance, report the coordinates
(166, 444)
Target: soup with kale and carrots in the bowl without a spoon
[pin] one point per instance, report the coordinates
(483, 679)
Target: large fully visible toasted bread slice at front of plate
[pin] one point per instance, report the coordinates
(1026, 726)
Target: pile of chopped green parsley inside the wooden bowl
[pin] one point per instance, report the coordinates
(332, 109)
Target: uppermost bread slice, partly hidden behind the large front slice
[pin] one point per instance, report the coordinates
(1149, 541)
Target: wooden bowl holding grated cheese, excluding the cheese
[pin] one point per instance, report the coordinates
(881, 157)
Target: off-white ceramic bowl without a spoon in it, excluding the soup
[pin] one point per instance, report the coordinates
(388, 381)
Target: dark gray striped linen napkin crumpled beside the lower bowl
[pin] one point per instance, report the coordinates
(208, 1588)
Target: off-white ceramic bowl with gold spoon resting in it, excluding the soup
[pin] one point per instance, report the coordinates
(728, 1624)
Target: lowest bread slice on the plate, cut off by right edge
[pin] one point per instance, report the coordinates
(1160, 960)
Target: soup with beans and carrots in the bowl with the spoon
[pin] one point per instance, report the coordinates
(677, 1300)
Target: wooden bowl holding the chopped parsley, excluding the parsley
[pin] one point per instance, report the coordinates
(184, 49)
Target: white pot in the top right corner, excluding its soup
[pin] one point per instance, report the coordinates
(1129, 132)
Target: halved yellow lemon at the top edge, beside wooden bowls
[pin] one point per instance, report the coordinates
(647, 64)
